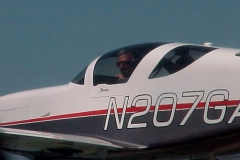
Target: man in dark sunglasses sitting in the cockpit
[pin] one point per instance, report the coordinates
(126, 65)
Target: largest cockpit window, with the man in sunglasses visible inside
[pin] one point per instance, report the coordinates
(117, 66)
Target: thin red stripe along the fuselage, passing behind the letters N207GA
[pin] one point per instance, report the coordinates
(228, 103)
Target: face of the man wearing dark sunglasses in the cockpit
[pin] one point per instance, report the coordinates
(124, 63)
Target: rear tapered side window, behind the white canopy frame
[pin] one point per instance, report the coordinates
(177, 59)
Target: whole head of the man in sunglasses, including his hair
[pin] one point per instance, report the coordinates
(125, 62)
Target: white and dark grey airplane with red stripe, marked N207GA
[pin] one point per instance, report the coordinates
(158, 100)
